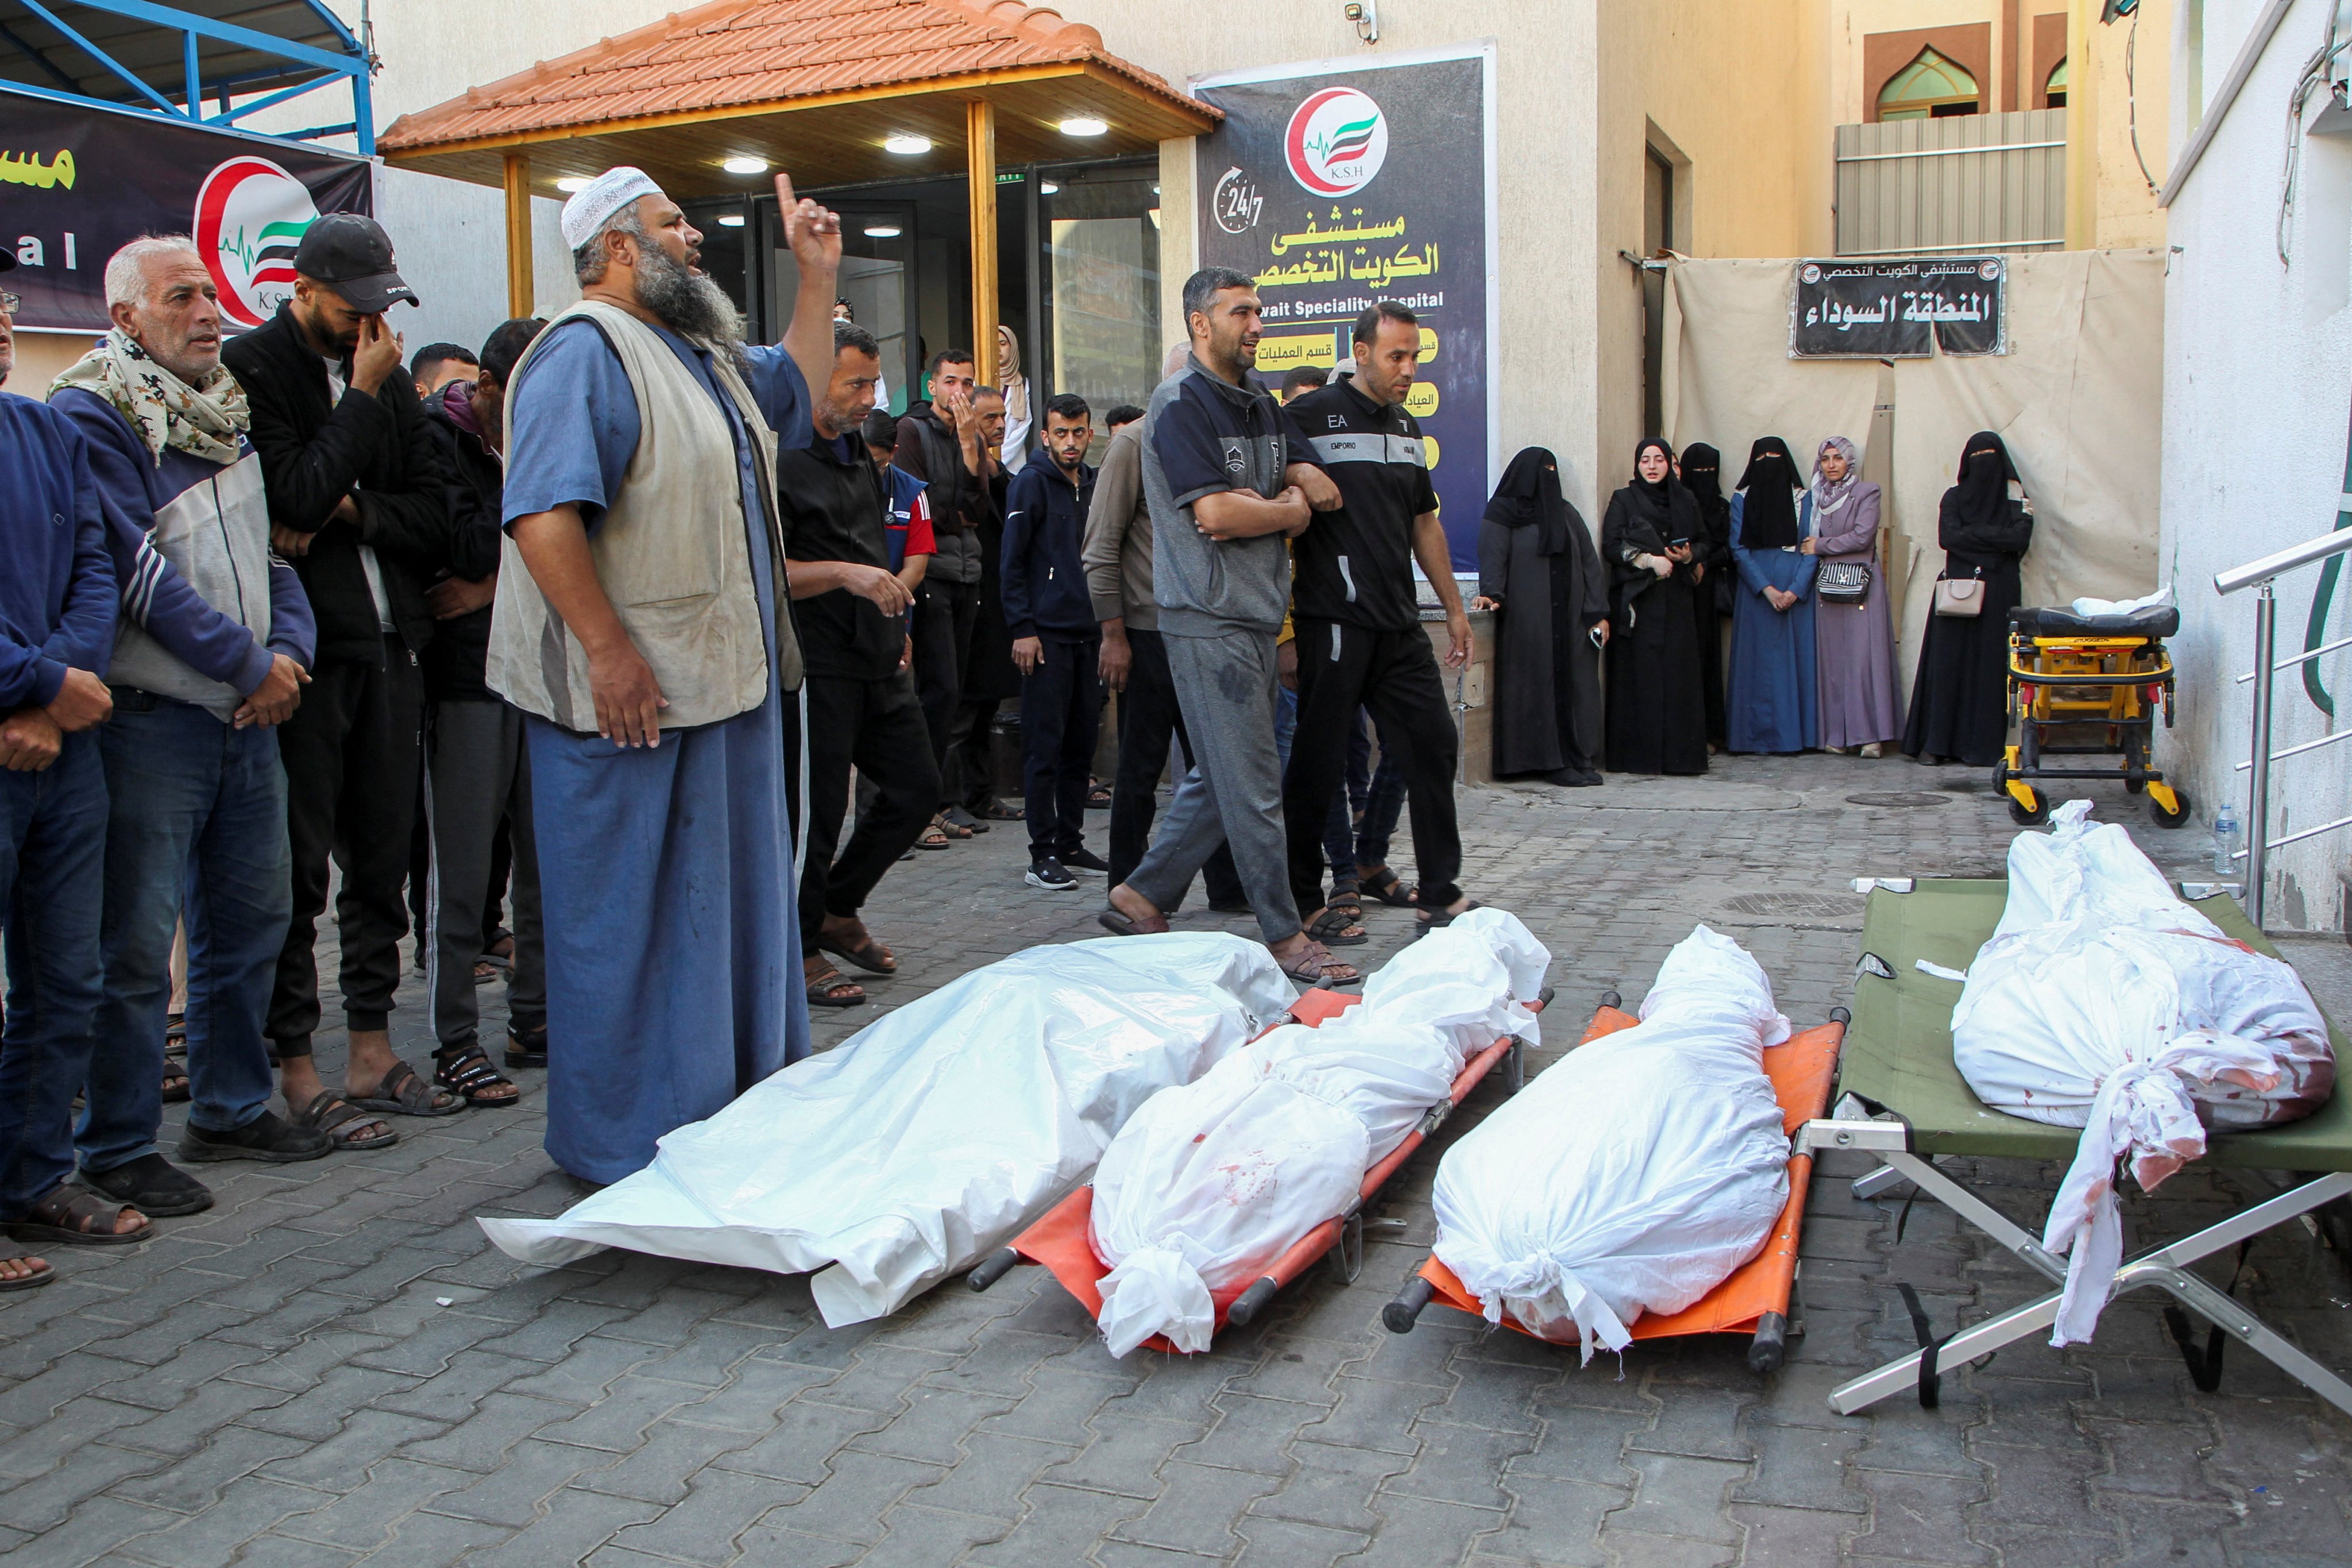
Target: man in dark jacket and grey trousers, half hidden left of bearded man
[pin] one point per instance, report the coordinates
(479, 770)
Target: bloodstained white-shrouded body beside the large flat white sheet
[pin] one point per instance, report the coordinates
(1212, 1181)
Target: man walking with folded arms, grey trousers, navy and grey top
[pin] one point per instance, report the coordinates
(1227, 478)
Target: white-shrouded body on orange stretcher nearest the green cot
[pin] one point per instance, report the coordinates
(1638, 1172)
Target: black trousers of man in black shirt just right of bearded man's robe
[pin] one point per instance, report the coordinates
(876, 728)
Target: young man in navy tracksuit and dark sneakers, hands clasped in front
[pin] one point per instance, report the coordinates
(1057, 643)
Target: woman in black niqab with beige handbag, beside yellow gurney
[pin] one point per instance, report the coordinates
(1960, 697)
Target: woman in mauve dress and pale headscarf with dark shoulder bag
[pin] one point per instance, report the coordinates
(1855, 648)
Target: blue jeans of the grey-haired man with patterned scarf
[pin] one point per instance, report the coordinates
(201, 822)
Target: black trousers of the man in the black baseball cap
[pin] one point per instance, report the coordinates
(352, 758)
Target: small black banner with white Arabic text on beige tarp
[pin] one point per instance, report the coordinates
(1899, 309)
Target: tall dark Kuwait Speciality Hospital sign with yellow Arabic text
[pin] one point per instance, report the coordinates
(1337, 185)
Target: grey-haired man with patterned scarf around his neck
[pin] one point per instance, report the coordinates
(211, 657)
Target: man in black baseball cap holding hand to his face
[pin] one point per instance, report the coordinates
(361, 502)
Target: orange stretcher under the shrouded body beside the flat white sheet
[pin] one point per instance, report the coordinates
(1062, 1242)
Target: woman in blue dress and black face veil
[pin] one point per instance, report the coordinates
(1772, 702)
